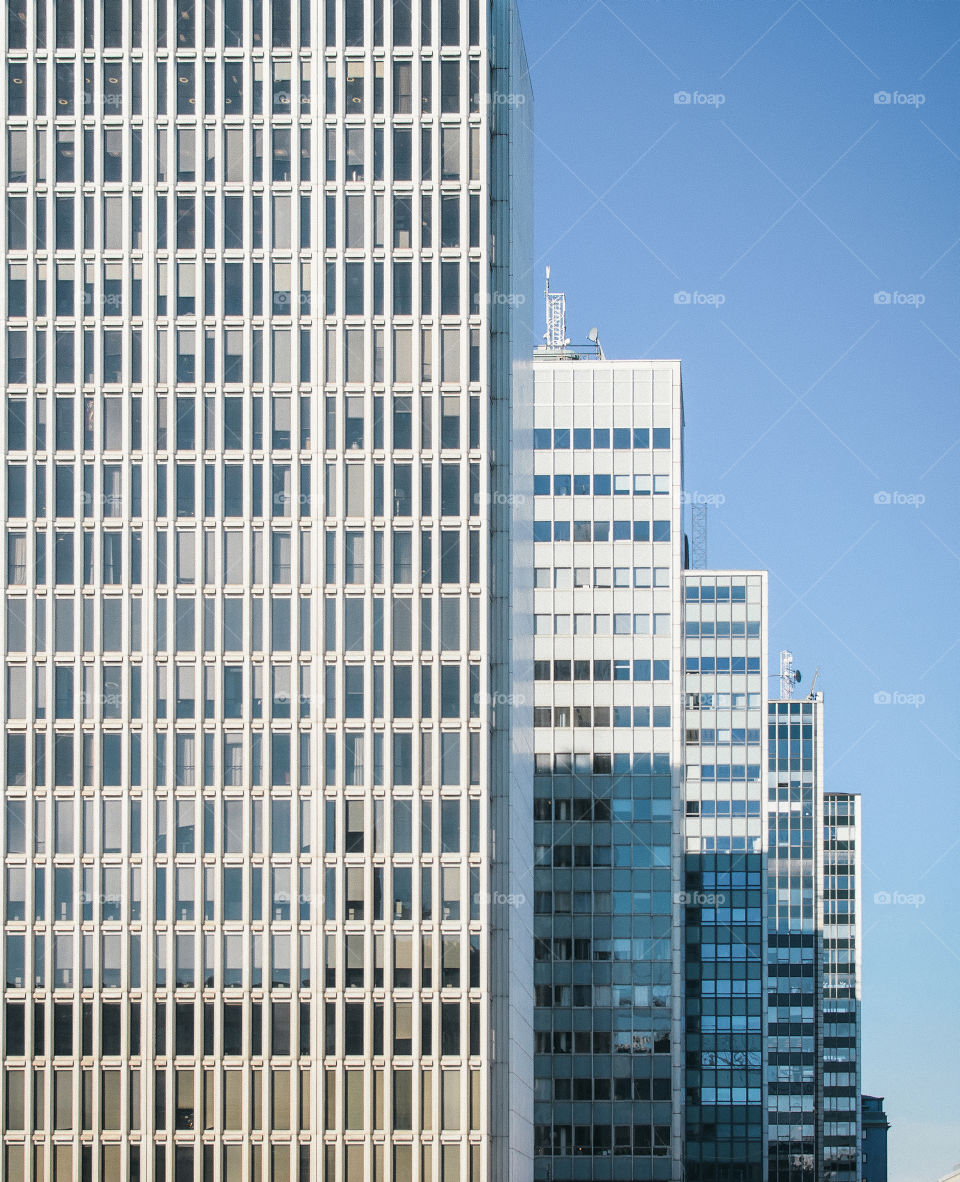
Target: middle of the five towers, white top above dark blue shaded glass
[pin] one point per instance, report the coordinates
(725, 672)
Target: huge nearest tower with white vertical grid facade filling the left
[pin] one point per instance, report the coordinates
(262, 314)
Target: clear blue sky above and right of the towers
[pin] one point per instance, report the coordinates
(799, 199)
